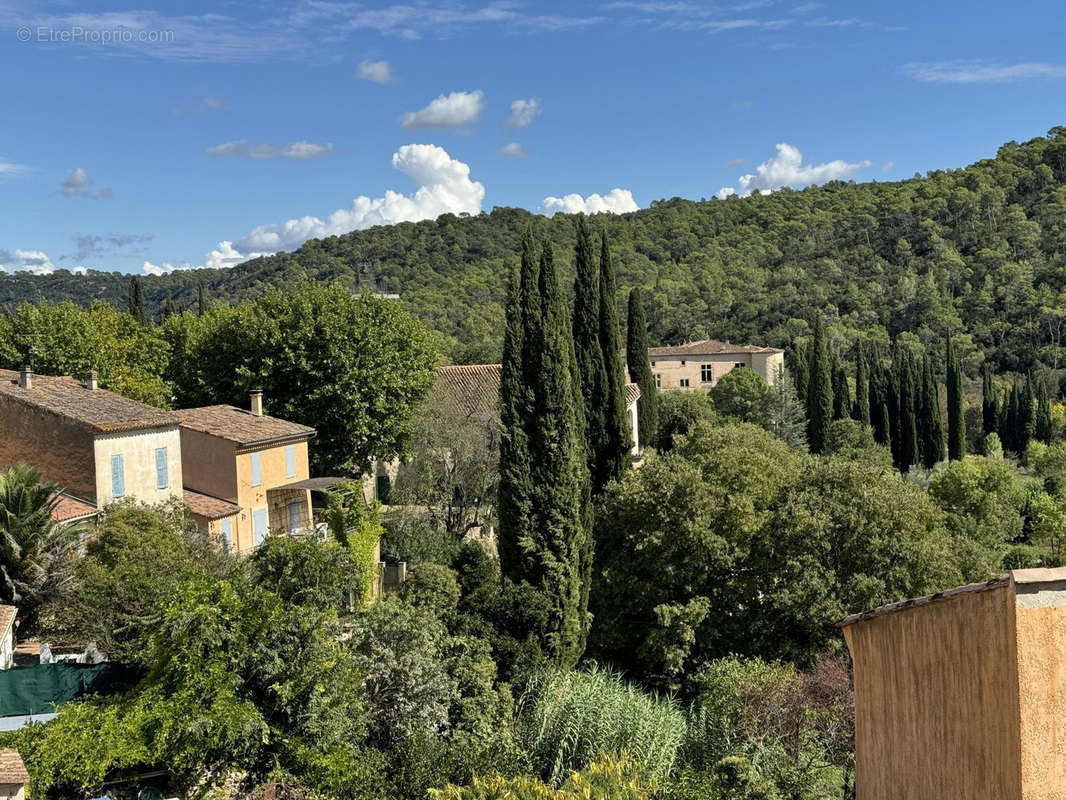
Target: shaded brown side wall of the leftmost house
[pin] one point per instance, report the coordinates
(59, 450)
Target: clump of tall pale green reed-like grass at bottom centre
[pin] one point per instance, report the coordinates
(569, 718)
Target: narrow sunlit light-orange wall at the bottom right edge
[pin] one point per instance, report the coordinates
(1041, 623)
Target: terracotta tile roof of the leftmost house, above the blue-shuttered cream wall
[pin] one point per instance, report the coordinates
(100, 410)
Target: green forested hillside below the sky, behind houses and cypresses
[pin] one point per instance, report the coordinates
(979, 252)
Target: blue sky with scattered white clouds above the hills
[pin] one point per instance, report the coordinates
(204, 134)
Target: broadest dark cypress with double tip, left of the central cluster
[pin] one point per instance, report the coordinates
(545, 538)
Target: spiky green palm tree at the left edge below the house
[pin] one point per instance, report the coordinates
(37, 554)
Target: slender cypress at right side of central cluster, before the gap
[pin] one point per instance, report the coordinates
(617, 441)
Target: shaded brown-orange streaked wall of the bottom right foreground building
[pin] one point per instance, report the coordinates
(936, 701)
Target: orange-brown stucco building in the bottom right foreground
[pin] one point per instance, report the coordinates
(963, 695)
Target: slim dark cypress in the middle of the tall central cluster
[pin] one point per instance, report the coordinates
(589, 353)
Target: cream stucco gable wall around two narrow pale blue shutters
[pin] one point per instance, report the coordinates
(138, 450)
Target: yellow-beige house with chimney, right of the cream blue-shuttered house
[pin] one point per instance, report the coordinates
(247, 473)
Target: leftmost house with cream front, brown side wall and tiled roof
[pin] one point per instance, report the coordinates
(100, 446)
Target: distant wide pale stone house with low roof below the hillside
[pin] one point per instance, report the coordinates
(700, 365)
